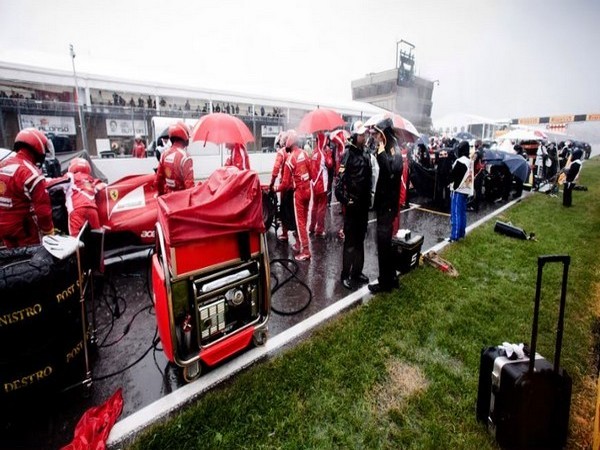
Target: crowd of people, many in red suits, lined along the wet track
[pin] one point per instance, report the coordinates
(342, 164)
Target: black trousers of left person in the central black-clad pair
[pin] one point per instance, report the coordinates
(356, 219)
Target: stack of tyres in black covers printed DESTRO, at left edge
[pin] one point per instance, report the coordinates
(40, 325)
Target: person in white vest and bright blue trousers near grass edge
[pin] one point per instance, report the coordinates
(461, 186)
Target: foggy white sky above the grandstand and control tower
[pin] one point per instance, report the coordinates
(500, 59)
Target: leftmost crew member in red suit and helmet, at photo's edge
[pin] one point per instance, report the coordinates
(25, 208)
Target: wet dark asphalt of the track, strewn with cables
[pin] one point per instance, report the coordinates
(127, 355)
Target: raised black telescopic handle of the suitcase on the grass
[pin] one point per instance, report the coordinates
(542, 260)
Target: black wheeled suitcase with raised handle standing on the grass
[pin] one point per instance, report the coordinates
(526, 402)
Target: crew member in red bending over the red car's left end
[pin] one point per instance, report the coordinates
(80, 195)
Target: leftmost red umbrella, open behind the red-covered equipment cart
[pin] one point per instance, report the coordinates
(221, 128)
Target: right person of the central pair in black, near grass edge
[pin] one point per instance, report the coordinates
(387, 199)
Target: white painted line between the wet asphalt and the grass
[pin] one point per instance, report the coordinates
(159, 410)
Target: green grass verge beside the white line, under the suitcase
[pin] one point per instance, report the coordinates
(337, 389)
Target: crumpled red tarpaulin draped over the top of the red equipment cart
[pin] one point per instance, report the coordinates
(228, 202)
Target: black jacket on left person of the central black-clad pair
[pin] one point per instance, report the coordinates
(354, 182)
